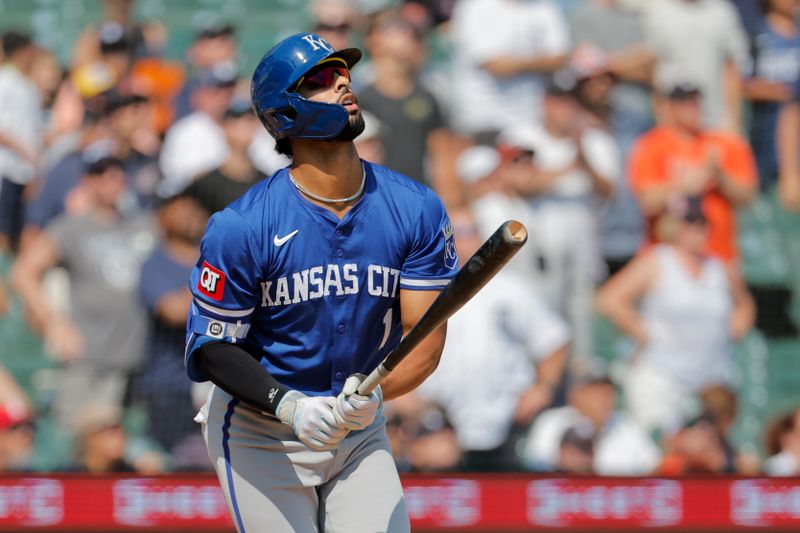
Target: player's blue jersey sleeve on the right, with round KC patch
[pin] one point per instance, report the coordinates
(432, 260)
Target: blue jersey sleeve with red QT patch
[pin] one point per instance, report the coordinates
(224, 285)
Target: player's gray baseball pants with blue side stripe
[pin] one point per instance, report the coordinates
(273, 483)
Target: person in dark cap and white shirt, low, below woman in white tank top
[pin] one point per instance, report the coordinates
(620, 447)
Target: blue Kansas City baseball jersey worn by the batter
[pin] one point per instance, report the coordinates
(316, 297)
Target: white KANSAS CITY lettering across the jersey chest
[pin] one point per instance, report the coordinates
(321, 281)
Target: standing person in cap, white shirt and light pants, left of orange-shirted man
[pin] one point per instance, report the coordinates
(575, 169)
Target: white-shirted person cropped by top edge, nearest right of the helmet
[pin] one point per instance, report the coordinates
(502, 49)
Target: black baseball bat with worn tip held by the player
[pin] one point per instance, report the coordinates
(481, 267)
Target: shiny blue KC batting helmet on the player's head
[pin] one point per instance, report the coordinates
(287, 114)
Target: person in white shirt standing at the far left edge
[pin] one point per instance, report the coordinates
(20, 132)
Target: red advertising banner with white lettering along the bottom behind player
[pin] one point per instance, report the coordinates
(435, 503)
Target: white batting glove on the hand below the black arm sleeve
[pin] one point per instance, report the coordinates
(312, 419)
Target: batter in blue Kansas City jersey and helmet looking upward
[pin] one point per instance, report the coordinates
(303, 286)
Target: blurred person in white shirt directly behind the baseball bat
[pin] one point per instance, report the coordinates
(501, 364)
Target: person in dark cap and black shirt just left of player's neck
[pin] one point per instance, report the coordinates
(216, 189)
